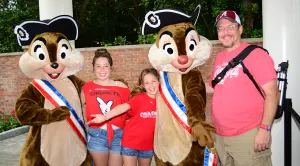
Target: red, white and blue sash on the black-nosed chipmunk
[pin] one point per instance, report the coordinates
(57, 99)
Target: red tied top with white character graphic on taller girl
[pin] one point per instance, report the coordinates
(100, 99)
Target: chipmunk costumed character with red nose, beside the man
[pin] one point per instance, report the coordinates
(181, 133)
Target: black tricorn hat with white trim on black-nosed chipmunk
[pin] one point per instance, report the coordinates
(64, 24)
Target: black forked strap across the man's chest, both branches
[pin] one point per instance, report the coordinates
(239, 60)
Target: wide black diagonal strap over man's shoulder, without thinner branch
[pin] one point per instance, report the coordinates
(234, 62)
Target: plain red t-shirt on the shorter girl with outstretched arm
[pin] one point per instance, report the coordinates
(139, 131)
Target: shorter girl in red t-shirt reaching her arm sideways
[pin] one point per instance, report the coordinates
(137, 141)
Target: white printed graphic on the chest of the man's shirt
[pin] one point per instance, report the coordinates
(232, 73)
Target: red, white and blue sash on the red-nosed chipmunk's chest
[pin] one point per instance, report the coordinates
(173, 102)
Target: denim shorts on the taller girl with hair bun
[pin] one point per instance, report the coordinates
(97, 140)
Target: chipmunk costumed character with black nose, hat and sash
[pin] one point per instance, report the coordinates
(50, 104)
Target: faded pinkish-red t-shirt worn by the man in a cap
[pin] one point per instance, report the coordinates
(237, 106)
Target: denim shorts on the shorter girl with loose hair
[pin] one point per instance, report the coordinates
(139, 153)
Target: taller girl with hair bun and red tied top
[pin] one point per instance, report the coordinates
(100, 96)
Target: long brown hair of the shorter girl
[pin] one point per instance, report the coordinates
(139, 88)
